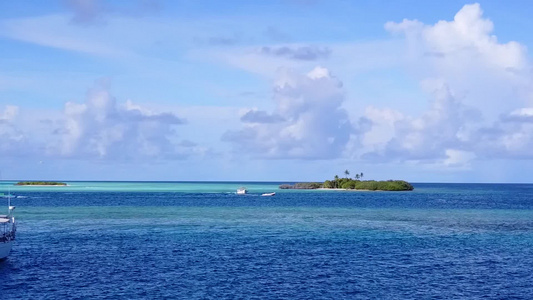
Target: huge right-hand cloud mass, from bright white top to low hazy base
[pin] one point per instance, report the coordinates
(487, 120)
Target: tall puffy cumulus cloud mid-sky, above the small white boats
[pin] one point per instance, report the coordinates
(307, 123)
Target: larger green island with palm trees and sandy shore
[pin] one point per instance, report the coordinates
(353, 184)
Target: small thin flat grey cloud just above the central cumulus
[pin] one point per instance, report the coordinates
(297, 53)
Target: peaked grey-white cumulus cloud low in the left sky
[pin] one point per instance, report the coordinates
(105, 129)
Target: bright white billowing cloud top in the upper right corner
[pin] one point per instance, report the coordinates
(493, 76)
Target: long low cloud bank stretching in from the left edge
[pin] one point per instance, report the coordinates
(100, 128)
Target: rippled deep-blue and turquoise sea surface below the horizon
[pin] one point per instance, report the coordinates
(199, 240)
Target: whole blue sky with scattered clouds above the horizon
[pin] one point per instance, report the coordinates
(292, 90)
